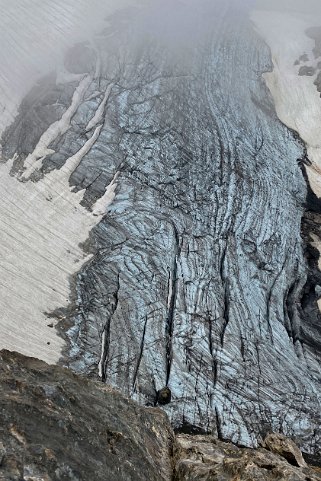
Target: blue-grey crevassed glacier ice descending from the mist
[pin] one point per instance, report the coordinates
(199, 268)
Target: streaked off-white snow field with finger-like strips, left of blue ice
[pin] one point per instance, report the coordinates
(42, 228)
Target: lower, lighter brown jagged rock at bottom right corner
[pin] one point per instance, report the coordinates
(204, 458)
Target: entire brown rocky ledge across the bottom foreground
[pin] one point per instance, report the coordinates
(57, 426)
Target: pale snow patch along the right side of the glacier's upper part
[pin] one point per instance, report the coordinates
(296, 98)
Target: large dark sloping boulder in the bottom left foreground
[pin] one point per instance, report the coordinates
(57, 426)
